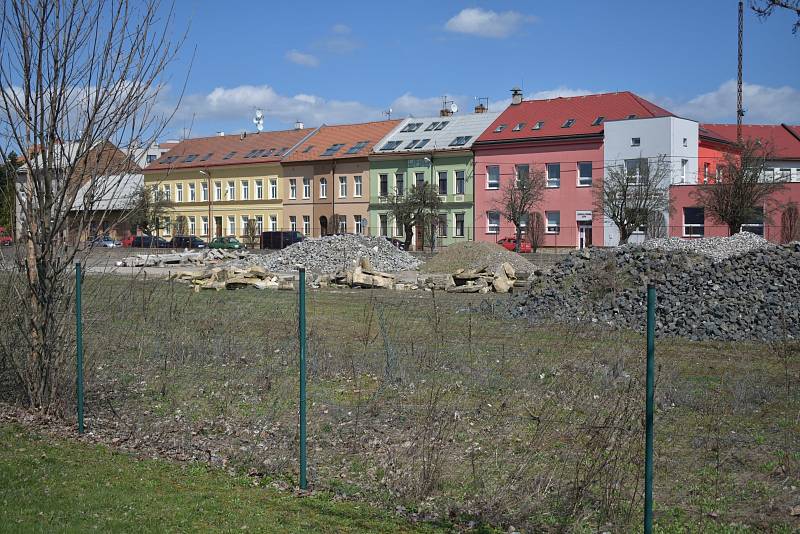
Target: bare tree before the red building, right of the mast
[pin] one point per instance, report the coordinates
(742, 188)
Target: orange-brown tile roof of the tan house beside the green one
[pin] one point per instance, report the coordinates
(347, 135)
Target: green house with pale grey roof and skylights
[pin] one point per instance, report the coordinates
(436, 151)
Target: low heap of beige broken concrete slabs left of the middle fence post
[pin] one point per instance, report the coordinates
(219, 278)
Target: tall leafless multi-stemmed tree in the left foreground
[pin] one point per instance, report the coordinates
(73, 76)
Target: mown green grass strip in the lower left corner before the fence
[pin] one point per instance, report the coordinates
(49, 485)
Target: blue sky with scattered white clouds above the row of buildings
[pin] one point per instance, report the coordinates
(348, 61)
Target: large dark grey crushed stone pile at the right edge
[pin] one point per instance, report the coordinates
(725, 296)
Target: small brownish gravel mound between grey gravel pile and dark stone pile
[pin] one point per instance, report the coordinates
(476, 255)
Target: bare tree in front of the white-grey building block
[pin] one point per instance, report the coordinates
(632, 193)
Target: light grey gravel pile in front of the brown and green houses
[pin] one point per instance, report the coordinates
(331, 253)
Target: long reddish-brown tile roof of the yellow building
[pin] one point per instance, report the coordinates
(219, 150)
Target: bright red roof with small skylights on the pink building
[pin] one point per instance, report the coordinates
(554, 112)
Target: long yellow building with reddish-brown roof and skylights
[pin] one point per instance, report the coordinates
(221, 183)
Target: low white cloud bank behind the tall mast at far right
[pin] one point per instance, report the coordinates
(770, 105)
